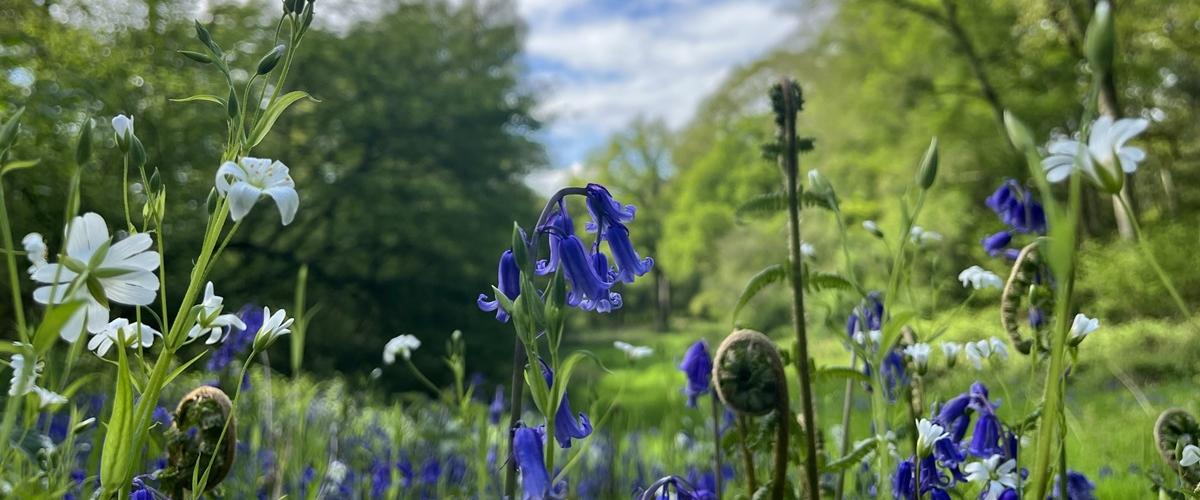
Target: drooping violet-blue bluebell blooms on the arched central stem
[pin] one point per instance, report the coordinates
(589, 274)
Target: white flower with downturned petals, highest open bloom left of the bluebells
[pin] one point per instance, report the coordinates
(247, 182)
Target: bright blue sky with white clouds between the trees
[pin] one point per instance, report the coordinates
(601, 64)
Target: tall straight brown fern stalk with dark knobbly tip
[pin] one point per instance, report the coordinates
(790, 165)
